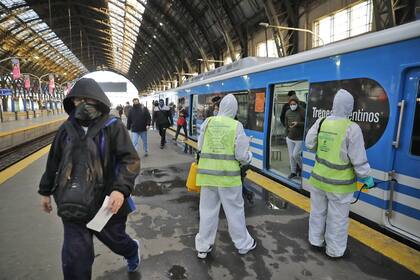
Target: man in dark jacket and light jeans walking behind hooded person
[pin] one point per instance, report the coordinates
(139, 121)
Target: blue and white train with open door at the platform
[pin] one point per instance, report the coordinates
(381, 70)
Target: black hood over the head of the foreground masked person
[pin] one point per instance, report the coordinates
(88, 88)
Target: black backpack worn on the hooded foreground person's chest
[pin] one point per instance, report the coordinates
(79, 182)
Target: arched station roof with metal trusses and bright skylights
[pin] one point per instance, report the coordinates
(146, 41)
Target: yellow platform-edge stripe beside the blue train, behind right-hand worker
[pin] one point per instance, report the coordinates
(396, 251)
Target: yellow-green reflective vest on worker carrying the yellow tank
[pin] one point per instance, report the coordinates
(217, 166)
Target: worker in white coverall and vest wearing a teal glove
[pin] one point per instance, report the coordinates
(340, 158)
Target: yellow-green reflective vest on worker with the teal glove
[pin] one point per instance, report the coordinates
(332, 173)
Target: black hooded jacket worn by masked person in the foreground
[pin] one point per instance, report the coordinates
(118, 149)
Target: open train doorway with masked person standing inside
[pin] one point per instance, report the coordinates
(287, 136)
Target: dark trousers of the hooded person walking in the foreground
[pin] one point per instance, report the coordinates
(77, 254)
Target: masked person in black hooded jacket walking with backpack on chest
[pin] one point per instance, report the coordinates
(91, 157)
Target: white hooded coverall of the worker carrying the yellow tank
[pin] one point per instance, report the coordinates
(229, 197)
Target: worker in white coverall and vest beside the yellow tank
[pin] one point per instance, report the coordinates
(223, 145)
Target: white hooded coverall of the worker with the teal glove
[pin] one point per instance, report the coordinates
(328, 221)
